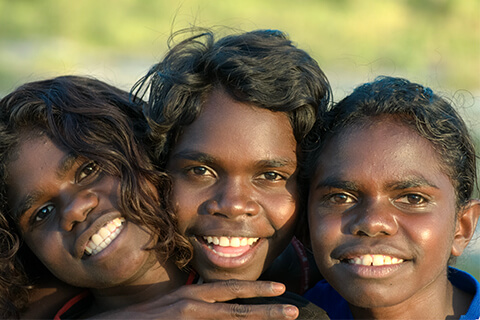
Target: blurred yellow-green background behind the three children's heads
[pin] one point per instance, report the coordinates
(434, 42)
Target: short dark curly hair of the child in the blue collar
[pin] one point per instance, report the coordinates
(430, 115)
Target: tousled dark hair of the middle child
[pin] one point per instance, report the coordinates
(263, 68)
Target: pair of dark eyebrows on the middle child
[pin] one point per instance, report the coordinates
(210, 160)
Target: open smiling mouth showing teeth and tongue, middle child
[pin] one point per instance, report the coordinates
(229, 247)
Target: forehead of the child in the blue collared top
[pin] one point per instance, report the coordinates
(385, 147)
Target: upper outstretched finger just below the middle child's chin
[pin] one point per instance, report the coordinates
(225, 290)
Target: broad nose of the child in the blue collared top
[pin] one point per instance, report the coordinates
(374, 218)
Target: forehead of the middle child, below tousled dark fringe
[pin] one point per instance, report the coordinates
(226, 124)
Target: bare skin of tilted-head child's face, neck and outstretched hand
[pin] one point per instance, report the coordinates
(71, 201)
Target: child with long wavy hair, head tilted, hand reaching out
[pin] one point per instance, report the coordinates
(80, 199)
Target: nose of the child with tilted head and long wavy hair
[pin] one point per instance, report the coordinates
(77, 207)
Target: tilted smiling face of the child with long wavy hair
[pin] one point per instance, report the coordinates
(66, 204)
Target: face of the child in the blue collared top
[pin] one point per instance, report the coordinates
(382, 215)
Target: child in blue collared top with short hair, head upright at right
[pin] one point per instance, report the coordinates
(391, 172)
